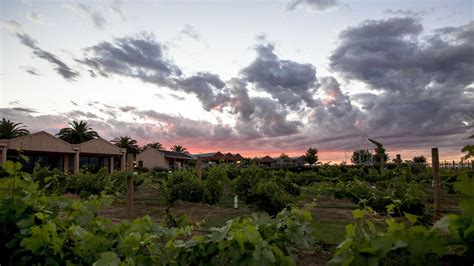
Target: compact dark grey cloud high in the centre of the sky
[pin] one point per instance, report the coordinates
(291, 83)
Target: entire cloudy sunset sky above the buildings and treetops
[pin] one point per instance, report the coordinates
(254, 77)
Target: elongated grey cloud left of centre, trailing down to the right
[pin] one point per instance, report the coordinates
(143, 58)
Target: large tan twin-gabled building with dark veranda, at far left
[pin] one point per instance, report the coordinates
(47, 150)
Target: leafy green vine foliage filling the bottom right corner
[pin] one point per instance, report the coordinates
(407, 242)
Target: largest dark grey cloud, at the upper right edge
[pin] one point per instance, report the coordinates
(387, 55)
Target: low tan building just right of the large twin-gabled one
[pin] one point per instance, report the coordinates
(151, 158)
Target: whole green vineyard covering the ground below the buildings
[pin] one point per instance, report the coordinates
(329, 214)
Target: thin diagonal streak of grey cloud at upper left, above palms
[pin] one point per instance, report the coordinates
(61, 68)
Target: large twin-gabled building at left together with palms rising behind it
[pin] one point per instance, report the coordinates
(75, 147)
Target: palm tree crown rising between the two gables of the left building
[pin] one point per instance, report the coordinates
(78, 132)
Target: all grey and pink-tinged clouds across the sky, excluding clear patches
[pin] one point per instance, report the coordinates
(419, 91)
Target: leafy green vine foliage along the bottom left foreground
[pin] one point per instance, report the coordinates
(39, 229)
